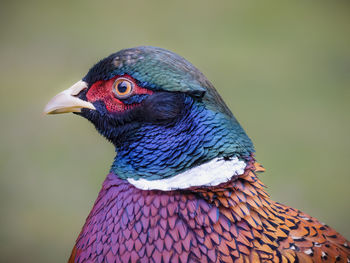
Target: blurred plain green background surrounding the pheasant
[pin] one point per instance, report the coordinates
(283, 67)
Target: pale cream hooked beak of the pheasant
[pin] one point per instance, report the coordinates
(66, 101)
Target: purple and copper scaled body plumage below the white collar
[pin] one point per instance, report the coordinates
(232, 222)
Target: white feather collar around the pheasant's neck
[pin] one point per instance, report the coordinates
(212, 173)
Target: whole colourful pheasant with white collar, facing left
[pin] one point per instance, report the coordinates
(184, 185)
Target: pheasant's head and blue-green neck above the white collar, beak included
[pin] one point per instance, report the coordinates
(160, 112)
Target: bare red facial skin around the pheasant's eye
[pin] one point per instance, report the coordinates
(103, 90)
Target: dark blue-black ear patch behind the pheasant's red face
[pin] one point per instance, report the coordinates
(163, 107)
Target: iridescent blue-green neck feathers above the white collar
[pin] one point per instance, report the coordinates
(154, 151)
